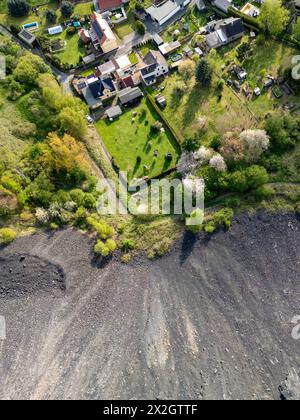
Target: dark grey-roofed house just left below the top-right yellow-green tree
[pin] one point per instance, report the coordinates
(224, 31)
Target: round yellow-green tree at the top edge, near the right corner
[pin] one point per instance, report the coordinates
(274, 17)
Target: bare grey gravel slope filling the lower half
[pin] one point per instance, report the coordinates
(210, 320)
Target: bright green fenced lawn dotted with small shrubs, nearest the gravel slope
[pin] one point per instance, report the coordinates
(125, 140)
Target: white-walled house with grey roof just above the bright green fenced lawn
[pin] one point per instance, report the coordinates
(155, 66)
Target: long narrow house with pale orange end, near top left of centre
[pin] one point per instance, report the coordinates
(102, 35)
